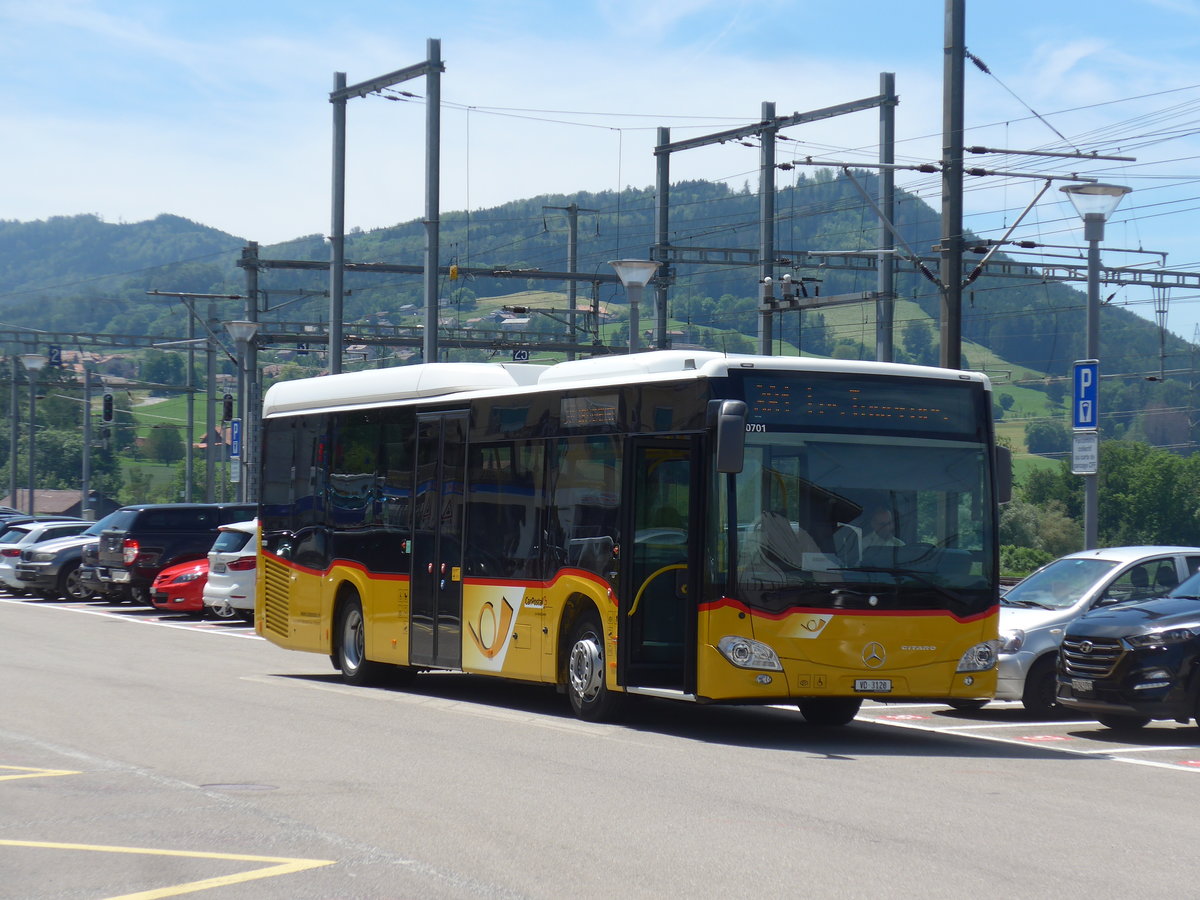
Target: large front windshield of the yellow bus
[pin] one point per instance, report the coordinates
(862, 523)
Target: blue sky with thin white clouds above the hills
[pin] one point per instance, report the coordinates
(219, 111)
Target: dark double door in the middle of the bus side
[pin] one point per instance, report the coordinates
(436, 586)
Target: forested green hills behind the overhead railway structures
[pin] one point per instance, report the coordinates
(83, 275)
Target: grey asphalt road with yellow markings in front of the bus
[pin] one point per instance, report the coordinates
(142, 755)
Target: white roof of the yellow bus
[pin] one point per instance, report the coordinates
(380, 387)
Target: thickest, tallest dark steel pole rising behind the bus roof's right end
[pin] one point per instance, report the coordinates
(951, 274)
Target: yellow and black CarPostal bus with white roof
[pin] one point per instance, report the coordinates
(688, 525)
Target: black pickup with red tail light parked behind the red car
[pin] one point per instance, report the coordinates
(142, 541)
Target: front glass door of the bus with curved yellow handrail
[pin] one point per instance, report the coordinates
(661, 566)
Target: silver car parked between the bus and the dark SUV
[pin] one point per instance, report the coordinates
(1035, 614)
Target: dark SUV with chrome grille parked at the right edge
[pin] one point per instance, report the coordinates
(1135, 663)
